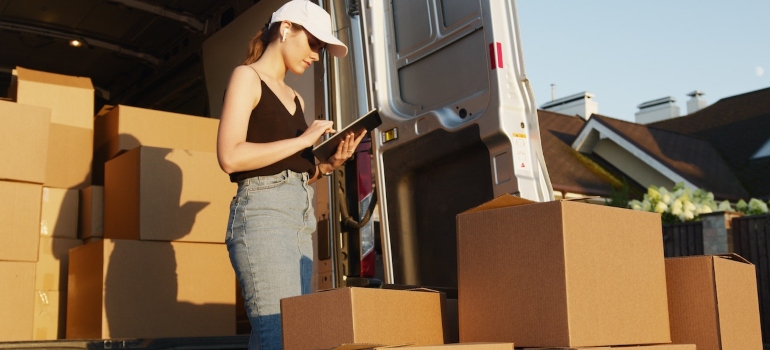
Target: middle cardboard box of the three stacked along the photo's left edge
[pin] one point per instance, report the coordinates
(19, 221)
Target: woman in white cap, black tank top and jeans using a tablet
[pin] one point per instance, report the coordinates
(265, 145)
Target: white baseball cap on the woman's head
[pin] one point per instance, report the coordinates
(315, 20)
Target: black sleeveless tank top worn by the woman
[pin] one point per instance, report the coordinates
(271, 121)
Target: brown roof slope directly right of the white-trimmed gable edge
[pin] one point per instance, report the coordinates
(694, 159)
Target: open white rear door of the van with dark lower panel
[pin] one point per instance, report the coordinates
(459, 125)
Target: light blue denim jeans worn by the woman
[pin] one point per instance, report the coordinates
(269, 238)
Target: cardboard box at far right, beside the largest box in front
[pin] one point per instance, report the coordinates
(713, 302)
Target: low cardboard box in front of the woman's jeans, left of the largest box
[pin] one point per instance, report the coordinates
(327, 319)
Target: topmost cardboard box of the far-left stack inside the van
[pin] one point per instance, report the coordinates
(70, 99)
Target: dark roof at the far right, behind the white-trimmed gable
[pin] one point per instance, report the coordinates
(737, 127)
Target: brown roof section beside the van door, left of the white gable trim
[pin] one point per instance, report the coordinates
(569, 171)
